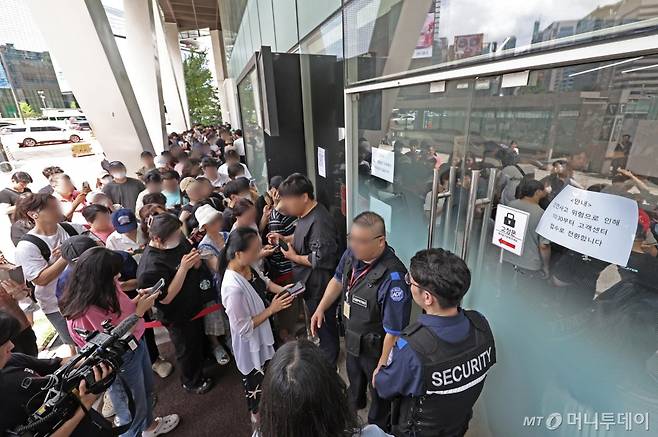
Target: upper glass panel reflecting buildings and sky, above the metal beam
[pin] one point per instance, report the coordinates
(391, 36)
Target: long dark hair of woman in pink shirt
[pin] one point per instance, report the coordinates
(92, 283)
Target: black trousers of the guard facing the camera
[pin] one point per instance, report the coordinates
(359, 373)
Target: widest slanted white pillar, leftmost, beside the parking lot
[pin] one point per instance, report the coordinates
(94, 69)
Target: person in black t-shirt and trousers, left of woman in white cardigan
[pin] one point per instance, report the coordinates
(188, 285)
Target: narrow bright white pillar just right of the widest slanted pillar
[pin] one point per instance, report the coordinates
(143, 66)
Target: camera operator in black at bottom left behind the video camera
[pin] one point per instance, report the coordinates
(23, 378)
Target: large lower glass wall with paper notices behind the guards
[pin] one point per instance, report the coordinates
(576, 334)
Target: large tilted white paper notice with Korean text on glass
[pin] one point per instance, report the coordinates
(599, 225)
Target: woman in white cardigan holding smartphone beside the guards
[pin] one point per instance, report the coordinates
(243, 295)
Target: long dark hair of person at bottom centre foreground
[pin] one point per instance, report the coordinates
(304, 396)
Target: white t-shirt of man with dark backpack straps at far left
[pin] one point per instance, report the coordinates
(29, 258)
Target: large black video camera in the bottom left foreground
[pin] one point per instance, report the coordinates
(61, 400)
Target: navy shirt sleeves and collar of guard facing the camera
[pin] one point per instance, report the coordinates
(393, 295)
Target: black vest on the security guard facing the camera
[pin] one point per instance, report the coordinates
(364, 329)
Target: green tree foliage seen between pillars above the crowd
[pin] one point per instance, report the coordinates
(202, 96)
